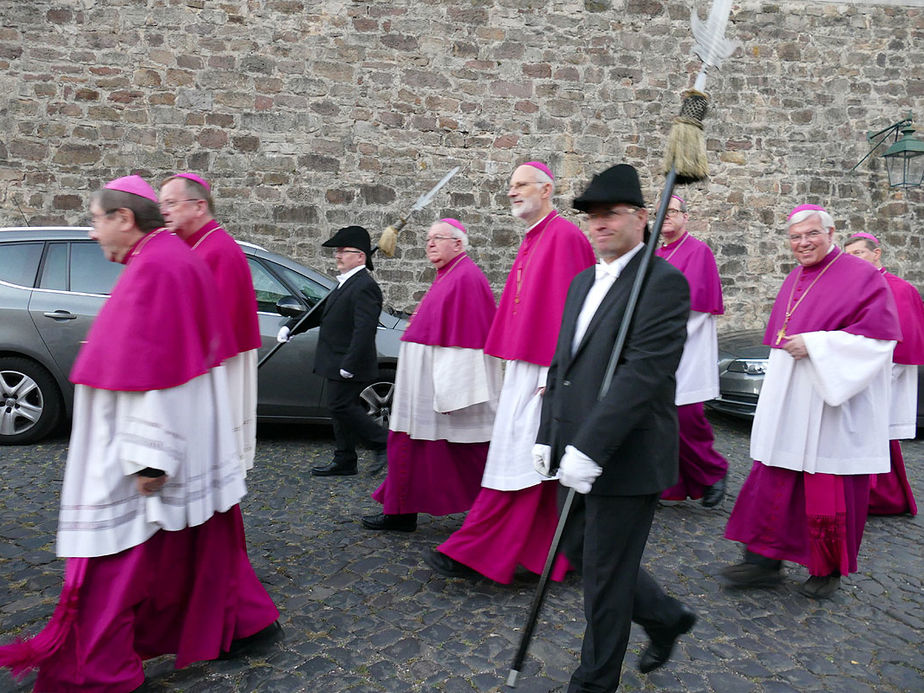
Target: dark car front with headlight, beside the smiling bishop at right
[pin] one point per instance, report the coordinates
(742, 365)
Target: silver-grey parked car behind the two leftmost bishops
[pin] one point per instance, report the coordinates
(53, 281)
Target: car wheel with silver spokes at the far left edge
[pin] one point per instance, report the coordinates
(30, 405)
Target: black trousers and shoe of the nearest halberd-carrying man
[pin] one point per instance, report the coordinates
(606, 537)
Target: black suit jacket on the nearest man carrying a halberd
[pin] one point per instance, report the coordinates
(632, 432)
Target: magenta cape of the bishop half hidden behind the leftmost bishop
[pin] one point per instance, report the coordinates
(233, 282)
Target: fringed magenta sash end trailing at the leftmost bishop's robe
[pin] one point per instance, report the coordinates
(24, 655)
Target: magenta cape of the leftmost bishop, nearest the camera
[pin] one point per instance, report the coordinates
(158, 328)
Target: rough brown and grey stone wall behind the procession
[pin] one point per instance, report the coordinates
(307, 116)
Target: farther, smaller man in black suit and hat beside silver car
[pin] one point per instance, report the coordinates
(346, 354)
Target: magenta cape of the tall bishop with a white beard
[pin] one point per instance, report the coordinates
(529, 315)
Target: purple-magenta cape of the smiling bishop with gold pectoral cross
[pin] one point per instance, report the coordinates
(850, 296)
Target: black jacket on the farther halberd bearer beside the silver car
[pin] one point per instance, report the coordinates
(349, 321)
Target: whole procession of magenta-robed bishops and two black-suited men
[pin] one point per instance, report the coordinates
(150, 524)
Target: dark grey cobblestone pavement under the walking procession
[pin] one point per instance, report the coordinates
(363, 612)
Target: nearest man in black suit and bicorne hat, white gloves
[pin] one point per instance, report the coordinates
(618, 453)
